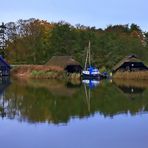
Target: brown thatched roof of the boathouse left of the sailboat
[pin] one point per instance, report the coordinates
(62, 61)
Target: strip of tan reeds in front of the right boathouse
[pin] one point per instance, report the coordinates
(143, 75)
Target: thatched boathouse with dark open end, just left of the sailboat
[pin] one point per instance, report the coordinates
(67, 63)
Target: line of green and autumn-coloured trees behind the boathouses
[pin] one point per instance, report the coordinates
(35, 41)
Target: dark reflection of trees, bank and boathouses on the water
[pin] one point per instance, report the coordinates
(57, 102)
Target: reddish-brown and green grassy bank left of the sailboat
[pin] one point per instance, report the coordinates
(41, 72)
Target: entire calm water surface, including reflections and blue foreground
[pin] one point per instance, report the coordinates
(52, 114)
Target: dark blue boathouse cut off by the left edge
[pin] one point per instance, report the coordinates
(4, 67)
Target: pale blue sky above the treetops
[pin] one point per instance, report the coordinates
(98, 13)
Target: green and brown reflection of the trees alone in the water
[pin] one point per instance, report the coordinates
(38, 103)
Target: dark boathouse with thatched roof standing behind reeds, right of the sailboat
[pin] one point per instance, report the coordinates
(130, 63)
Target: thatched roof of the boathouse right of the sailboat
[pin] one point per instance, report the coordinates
(130, 58)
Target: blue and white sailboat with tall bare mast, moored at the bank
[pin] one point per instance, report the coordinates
(89, 71)
